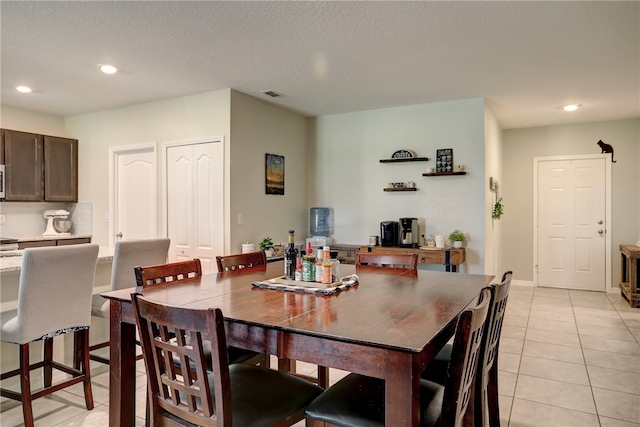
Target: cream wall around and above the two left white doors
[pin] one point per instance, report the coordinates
(179, 119)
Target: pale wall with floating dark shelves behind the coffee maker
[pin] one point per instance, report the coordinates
(348, 176)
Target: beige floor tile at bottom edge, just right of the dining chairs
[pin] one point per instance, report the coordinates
(532, 414)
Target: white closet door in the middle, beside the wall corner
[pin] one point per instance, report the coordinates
(195, 202)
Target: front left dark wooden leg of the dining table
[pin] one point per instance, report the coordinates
(122, 367)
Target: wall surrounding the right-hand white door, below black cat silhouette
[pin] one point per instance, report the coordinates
(522, 145)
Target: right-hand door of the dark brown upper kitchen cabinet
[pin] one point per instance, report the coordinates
(60, 169)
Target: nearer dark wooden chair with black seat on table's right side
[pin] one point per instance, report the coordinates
(359, 400)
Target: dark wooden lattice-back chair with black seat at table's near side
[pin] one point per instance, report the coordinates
(238, 394)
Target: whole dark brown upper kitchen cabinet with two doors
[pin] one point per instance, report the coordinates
(39, 168)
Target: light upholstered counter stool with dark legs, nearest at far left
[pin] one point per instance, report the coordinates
(54, 298)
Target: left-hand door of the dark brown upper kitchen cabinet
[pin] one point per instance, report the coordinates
(23, 160)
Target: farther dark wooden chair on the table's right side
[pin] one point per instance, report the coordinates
(486, 401)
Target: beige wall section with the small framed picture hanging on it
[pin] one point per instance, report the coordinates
(257, 128)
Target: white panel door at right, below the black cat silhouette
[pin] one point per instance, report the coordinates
(572, 224)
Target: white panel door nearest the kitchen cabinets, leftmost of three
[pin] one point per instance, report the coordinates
(134, 193)
